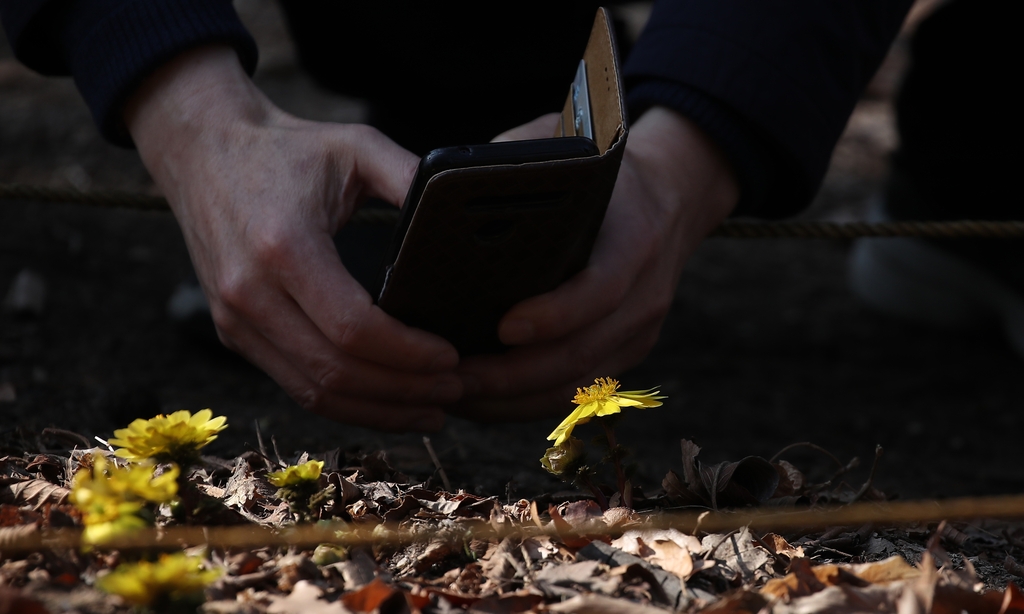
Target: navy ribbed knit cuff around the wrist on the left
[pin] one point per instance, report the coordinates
(111, 58)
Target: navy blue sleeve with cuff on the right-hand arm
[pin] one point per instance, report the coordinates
(773, 83)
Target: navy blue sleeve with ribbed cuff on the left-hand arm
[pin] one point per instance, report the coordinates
(110, 47)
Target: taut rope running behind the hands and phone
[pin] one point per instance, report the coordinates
(730, 229)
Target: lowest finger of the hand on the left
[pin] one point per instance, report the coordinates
(343, 408)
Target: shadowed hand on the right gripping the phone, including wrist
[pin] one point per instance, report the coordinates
(674, 188)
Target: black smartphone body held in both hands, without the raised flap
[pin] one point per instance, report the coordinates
(485, 228)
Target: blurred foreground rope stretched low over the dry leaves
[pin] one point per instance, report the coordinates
(393, 535)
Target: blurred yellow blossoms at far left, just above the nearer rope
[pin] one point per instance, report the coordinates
(111, 497)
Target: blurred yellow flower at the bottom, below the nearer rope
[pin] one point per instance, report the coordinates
(175, 578)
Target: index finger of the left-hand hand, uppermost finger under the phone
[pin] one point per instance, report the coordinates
(345, 314)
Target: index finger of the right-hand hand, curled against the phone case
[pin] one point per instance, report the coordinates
(594, 293)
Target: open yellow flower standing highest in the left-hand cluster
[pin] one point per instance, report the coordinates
(177, 437)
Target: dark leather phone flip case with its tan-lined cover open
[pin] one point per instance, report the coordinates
(526, 229)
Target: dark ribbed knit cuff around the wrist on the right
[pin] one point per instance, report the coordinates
(738, 142)
